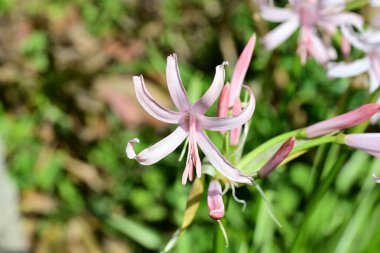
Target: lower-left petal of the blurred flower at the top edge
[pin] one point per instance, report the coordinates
(282, 32)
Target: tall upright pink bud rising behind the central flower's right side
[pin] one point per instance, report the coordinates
(240, 70)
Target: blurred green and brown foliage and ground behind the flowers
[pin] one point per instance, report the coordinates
(68, 109)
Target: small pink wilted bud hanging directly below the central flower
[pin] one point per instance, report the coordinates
(215, 200)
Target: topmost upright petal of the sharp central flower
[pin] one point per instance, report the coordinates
(175, 86)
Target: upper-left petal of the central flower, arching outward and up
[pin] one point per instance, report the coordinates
(151, 106)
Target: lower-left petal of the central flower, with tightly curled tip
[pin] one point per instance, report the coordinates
(159, 150)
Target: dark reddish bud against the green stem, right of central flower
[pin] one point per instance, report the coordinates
(277, 158)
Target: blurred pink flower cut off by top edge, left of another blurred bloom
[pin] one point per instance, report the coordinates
(310, 16)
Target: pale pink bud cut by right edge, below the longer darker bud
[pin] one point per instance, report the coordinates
(367, 142)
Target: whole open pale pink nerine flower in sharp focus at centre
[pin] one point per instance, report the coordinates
(191, 123)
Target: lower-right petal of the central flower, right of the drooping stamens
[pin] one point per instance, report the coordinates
(219, 162)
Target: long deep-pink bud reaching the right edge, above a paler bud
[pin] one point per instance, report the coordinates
(343, 121)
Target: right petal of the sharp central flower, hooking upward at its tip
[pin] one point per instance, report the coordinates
(228, 123)
